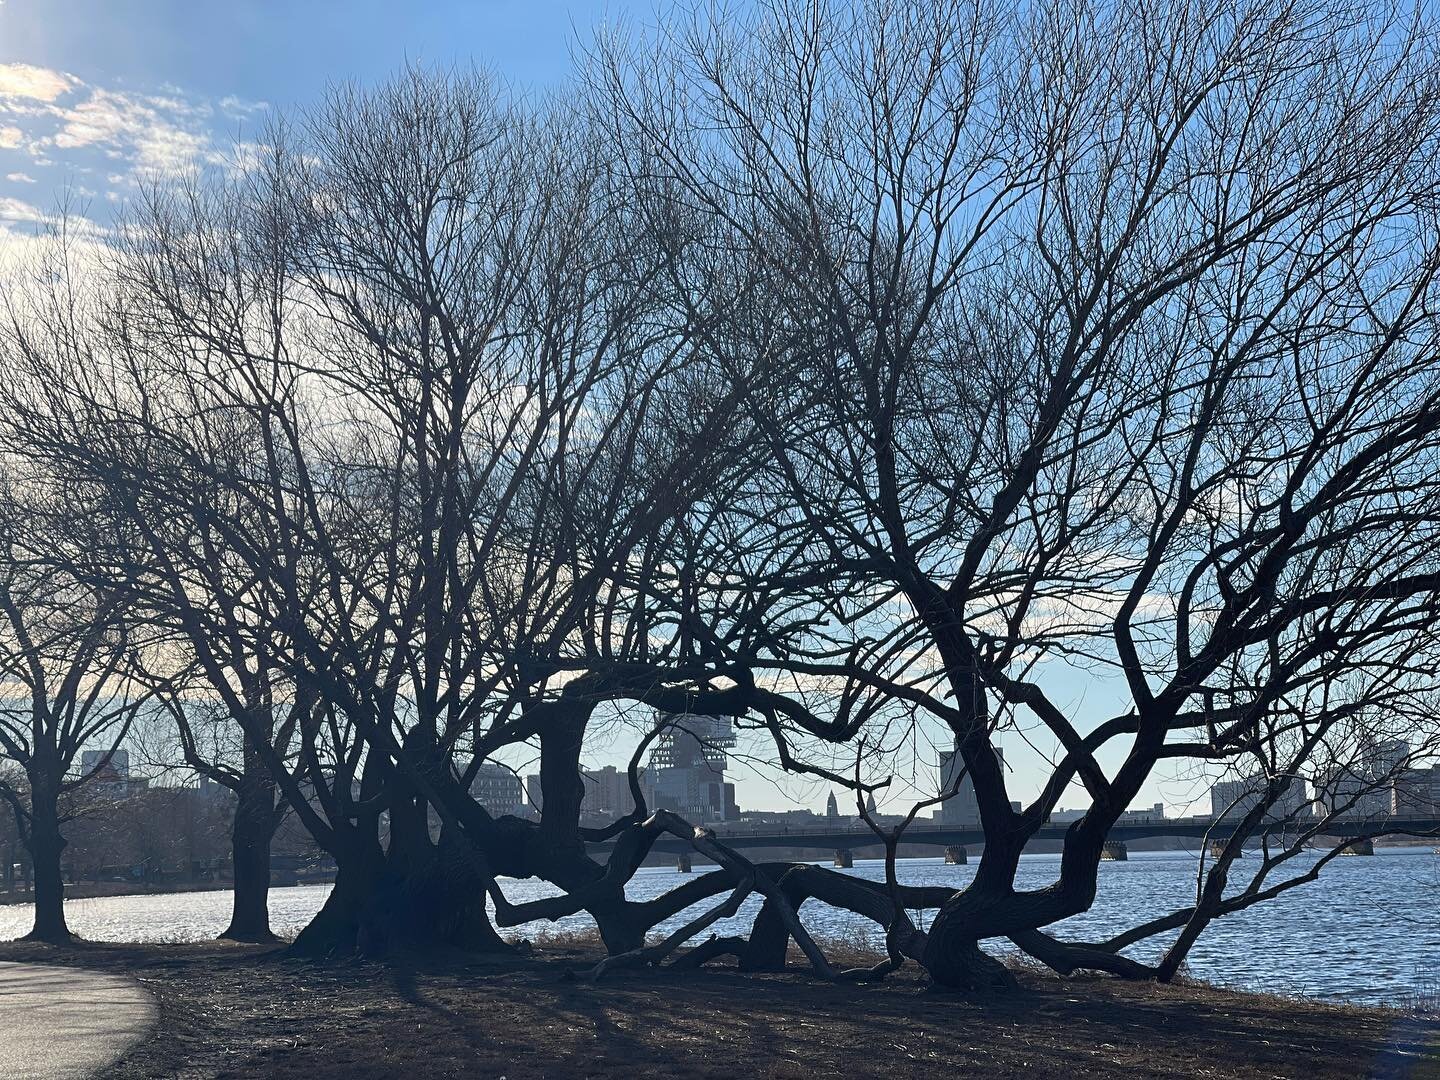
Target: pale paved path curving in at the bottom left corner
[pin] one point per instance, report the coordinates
(63, 1023)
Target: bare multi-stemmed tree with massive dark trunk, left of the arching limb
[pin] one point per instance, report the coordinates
(394, 418)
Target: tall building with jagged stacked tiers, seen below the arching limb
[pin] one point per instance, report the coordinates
(686, 770)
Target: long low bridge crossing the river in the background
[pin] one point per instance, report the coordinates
(860, 836)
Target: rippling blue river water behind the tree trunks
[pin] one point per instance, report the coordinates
(1366, 931)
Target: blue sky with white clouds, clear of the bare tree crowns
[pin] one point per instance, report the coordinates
(96, 94)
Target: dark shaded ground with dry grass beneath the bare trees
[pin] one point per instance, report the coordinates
(230, 1012)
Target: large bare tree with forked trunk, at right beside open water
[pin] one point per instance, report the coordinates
(1098, 336)
